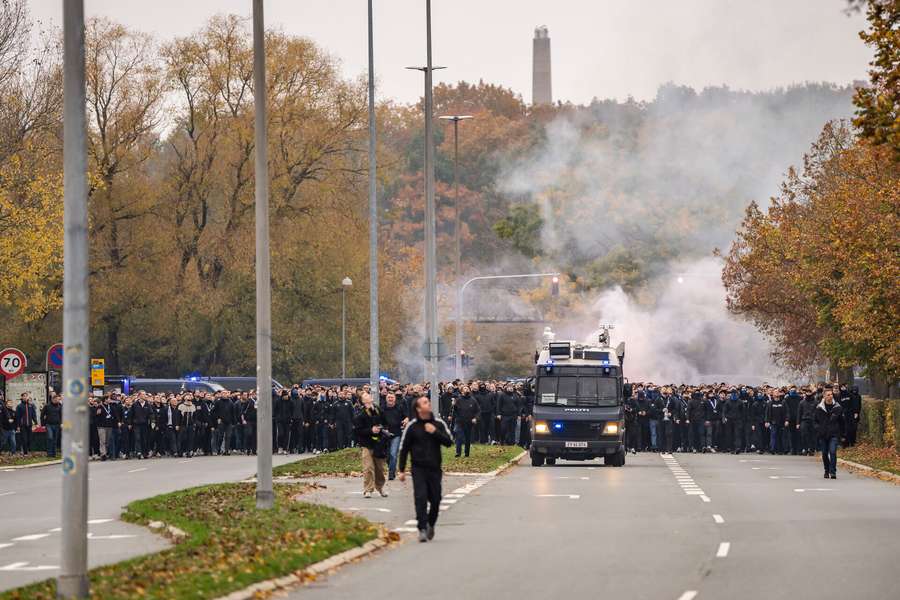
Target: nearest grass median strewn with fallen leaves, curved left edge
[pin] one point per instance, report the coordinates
(229, 545)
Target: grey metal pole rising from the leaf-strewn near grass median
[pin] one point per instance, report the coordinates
(265, 496)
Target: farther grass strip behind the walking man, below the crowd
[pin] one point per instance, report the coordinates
(347, 462)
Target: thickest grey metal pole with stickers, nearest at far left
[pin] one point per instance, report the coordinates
(72, 581)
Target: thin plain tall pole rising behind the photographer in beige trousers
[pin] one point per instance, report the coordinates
(374, 367)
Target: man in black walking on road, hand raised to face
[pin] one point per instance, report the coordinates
(422, 440)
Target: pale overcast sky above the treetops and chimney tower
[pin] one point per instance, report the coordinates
(602, 48)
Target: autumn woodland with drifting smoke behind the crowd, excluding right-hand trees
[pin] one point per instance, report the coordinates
(614, 194)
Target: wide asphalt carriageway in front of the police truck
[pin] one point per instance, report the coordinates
(682, 528)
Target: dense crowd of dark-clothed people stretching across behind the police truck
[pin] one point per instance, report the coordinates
(667, 418)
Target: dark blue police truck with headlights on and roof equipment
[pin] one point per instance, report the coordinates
(579, 398)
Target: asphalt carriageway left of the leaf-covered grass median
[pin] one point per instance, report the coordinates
(30, 509)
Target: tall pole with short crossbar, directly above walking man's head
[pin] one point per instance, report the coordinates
(430, 245)
